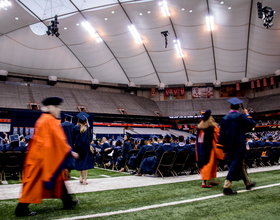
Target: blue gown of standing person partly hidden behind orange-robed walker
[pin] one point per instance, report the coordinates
(68, 128)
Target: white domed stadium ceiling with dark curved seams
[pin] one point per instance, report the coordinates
(238, 46)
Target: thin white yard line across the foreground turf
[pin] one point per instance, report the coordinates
(162, 205)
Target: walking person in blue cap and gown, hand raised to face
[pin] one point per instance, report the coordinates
(232, 136)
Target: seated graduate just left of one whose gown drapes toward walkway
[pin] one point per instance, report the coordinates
(134, 160)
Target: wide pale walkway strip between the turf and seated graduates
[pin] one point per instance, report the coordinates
(12, 191)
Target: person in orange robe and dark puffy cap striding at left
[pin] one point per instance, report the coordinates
(47, 157)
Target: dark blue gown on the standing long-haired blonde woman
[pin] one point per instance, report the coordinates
(82, 147)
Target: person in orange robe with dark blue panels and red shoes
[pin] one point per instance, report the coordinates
(207, 138)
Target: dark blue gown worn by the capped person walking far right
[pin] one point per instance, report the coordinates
(232, 135)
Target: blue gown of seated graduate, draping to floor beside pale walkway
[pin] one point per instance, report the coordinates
(149, 164)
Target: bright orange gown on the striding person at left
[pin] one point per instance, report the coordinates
(44, 162)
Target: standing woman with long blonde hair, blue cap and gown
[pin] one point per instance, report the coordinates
(82, 142)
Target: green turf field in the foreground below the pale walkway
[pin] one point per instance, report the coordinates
(260, 204)
